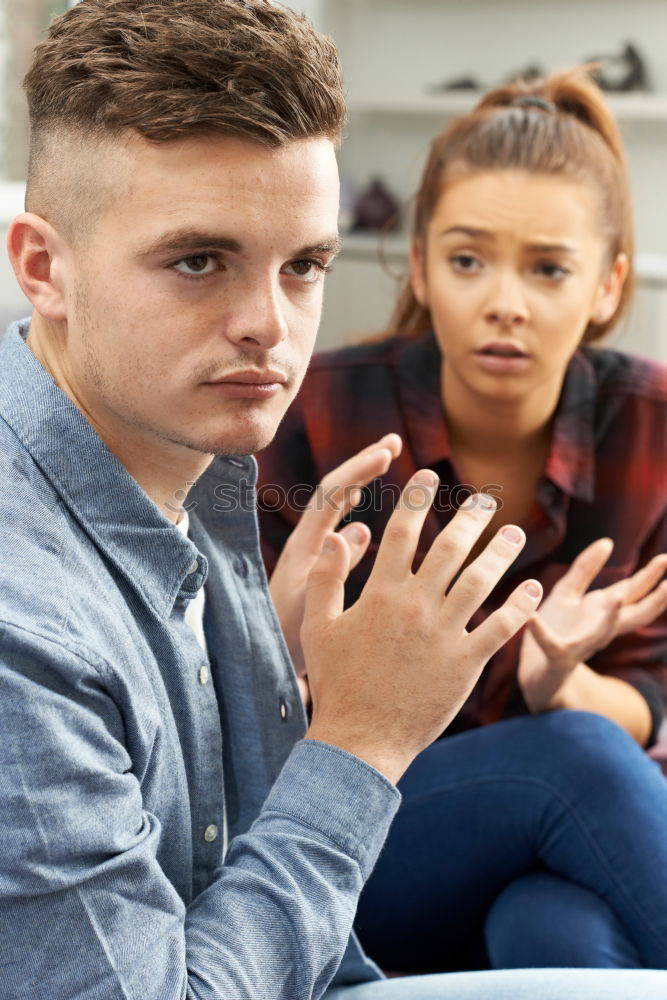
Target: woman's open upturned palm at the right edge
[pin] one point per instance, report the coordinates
(574, 622)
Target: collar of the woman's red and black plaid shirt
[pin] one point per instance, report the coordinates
(571, 462)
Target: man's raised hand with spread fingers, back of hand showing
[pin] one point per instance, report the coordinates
(389, 674)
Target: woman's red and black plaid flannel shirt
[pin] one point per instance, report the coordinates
(606, 475)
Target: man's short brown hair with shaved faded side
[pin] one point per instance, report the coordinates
(168, 70)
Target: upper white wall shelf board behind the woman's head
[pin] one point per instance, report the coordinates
(626, 107)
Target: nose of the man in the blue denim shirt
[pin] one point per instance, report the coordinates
(258, 317)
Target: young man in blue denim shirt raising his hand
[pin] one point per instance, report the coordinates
(167, 831)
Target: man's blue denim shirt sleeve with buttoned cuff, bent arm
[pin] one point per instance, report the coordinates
(86, 909)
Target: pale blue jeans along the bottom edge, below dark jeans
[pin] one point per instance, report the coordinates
(521, 984)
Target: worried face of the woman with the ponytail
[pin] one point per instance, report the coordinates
(512, 269)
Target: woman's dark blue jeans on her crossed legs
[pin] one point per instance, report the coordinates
(535, 842)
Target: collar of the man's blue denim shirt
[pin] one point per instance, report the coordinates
(95, 487)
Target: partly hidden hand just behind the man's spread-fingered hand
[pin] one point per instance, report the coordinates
(336, 495)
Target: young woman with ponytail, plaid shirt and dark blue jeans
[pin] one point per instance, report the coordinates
(536, 834)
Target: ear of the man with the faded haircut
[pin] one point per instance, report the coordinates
(35, 250)
